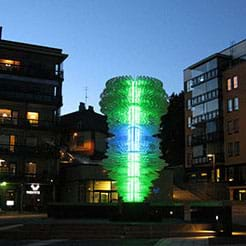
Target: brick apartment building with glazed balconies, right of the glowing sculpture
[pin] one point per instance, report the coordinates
(215, 117)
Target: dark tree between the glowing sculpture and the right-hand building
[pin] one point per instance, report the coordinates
(172, 131)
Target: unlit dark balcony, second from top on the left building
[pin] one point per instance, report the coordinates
(30, 97)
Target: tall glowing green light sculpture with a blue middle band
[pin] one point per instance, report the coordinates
(133, 108)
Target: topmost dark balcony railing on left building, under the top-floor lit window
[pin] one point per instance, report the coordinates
(30, 71)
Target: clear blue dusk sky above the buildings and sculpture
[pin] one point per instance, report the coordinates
(107, 38)
